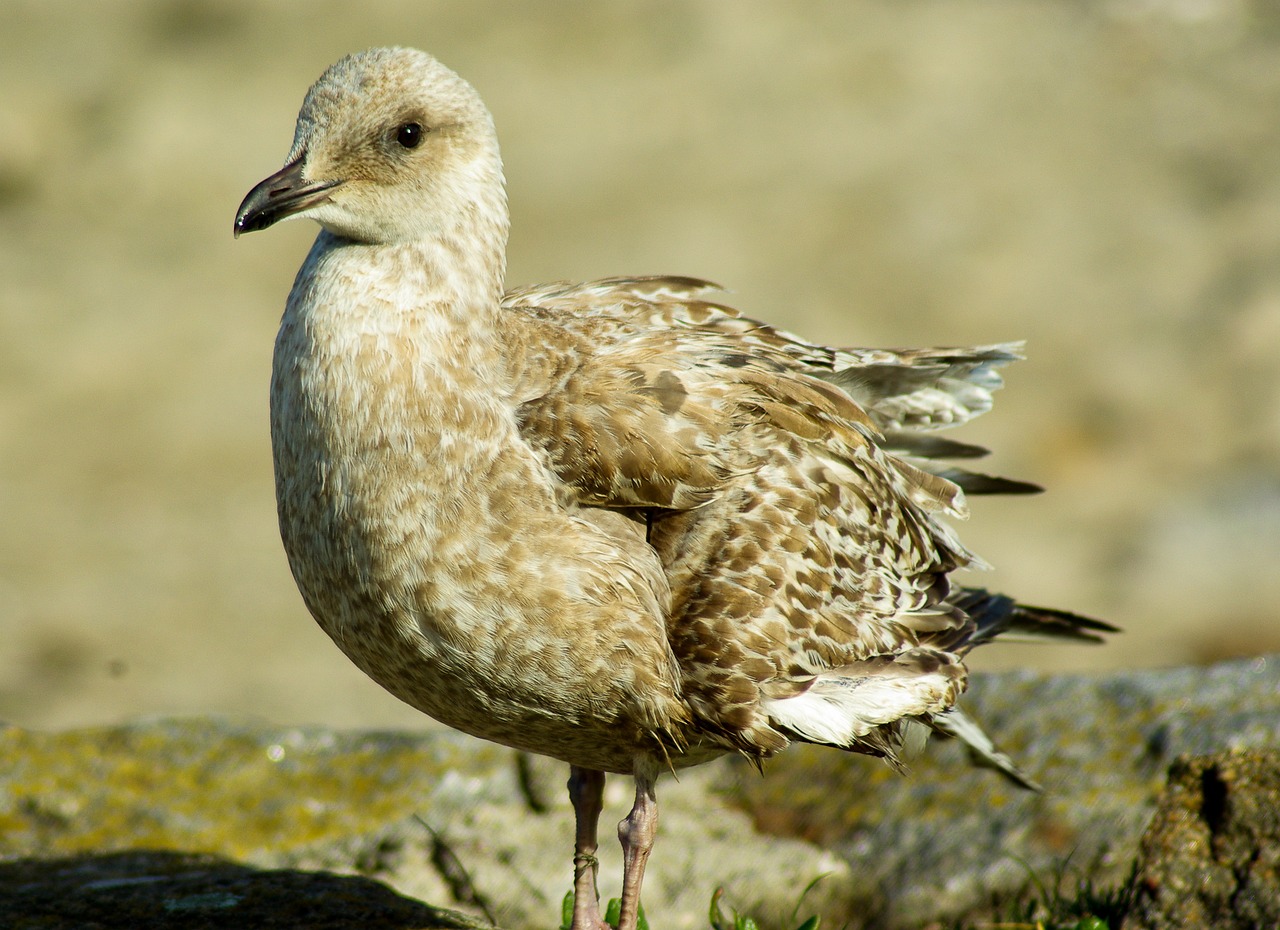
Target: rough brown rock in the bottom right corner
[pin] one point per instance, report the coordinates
(1212, 856)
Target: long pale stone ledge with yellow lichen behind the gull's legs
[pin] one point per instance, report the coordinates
(451, 821)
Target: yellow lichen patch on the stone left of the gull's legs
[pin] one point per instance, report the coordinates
(204, 786)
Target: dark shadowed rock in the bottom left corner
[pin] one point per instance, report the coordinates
(167, 891)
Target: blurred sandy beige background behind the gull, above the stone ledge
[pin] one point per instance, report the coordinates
(1101, 180)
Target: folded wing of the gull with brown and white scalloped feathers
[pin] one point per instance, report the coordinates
(803, 549)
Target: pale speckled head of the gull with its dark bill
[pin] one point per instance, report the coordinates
(391, 146)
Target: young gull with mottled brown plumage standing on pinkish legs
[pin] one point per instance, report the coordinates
(614, 523)
